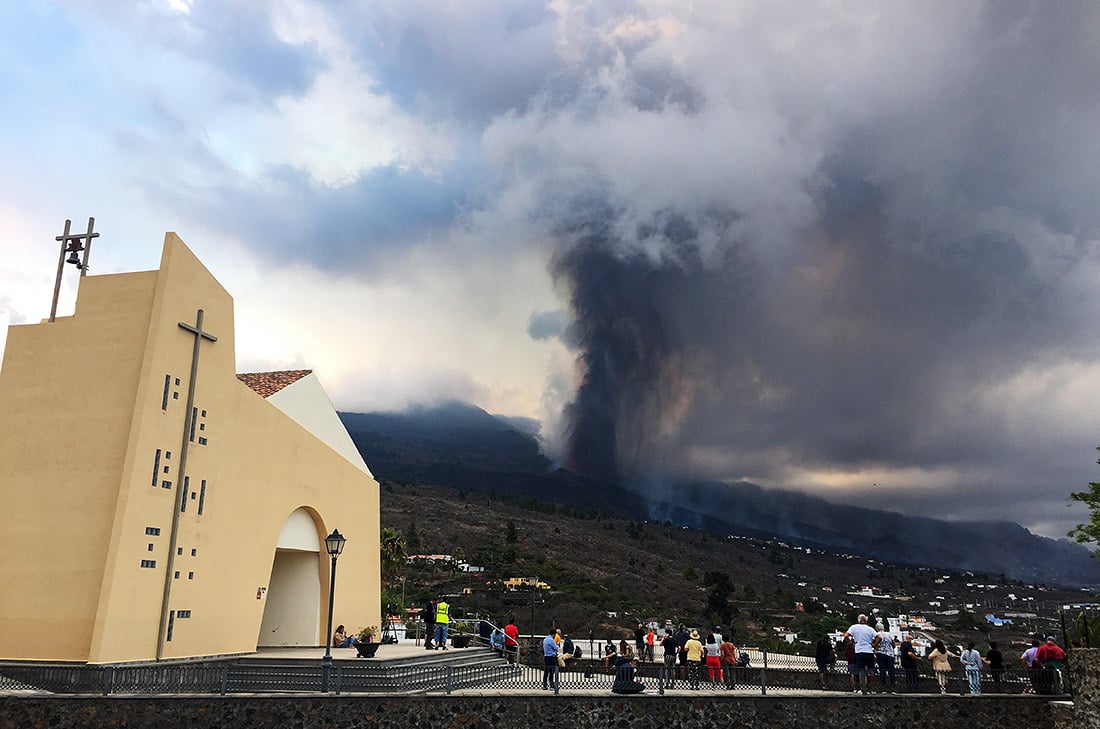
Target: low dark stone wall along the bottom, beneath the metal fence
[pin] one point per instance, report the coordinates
(524, 712)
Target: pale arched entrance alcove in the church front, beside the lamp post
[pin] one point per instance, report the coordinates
(292, 612)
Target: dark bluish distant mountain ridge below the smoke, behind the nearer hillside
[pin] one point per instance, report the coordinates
(465, 448)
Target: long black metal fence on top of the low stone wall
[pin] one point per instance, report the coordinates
(488, 676)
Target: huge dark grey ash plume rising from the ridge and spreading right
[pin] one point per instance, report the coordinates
(769, 285)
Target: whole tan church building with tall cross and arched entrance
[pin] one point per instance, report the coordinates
(157, 505)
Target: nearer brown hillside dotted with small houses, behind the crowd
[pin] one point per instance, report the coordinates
(606, 575)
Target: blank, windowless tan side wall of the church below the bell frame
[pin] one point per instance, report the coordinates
(67, 392)
